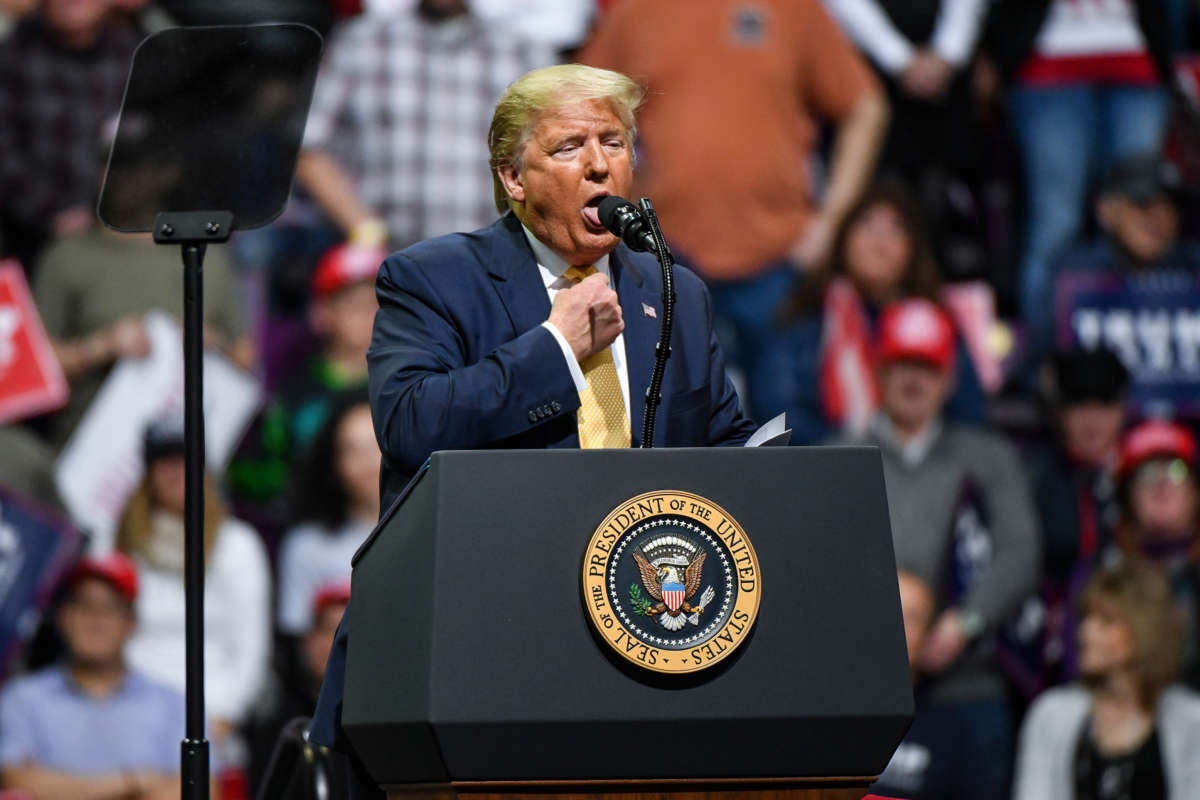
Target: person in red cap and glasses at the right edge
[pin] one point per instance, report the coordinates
(1161, 519)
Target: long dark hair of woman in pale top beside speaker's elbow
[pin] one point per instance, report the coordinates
(320, 494)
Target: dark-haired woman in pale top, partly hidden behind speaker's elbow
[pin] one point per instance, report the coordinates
(338, 504)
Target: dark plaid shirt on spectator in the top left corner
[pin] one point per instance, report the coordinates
(53, 103)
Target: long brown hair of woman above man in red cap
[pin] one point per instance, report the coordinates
(921, 278)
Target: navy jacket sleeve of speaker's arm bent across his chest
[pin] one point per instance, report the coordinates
(428, 389)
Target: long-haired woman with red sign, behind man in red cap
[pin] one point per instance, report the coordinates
(825, 375)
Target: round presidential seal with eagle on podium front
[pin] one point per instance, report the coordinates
(671, 582)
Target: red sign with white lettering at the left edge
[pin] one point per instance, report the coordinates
(31, 380)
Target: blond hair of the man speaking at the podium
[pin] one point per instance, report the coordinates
(535, 93)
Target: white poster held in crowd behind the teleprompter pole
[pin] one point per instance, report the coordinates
(101, 466)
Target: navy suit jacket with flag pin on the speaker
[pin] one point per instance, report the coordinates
(460, 360)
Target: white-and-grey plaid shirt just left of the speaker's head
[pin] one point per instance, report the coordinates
(406, 106)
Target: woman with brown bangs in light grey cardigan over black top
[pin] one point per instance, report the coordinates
(1125, 732)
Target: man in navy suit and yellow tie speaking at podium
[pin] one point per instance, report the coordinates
(491, 339)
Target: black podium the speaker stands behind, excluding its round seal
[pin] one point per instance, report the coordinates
(473, 667)
